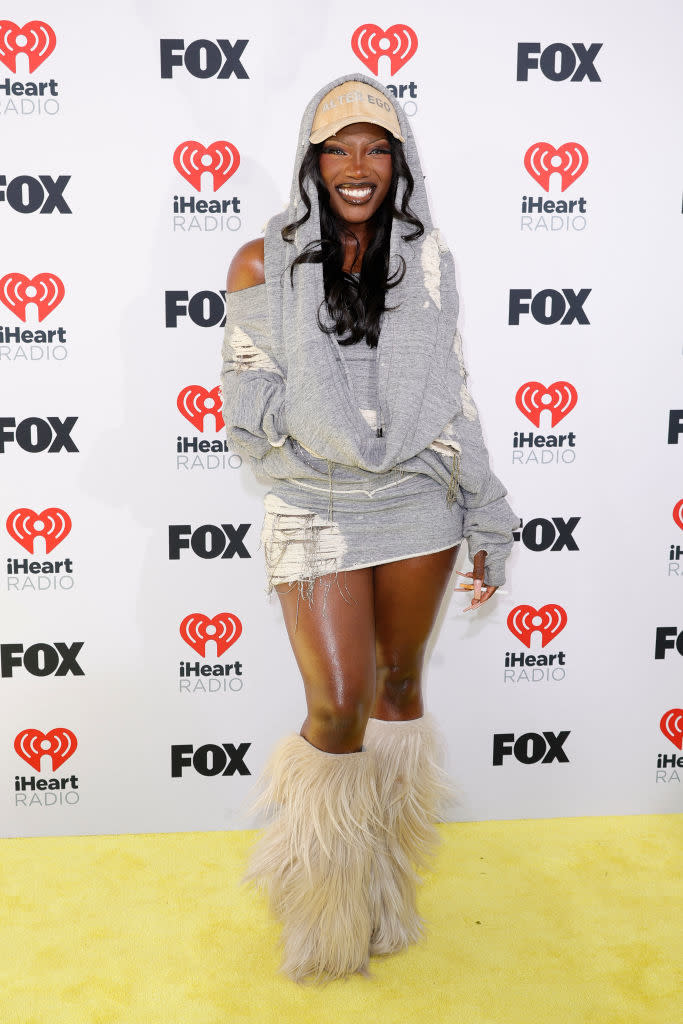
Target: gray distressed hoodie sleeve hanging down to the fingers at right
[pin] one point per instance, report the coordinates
(488, 519)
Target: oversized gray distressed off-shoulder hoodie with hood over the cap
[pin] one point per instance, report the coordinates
(286, 395)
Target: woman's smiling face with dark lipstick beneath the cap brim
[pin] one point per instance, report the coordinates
(356, 166)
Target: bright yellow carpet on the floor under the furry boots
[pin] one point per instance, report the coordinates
(533, 922)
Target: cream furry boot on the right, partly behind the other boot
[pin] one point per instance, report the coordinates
(412, 788)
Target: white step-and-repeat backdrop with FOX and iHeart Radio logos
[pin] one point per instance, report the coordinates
(130, 533)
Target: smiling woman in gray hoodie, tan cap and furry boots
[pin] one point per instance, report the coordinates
(345, 387)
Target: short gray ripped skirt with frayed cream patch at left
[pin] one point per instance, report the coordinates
(308, 534)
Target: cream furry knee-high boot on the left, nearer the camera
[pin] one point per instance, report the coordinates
(314, 860)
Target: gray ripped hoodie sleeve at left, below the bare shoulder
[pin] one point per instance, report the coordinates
(252, 382)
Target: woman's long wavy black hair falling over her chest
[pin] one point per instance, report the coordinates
(355, 306)
